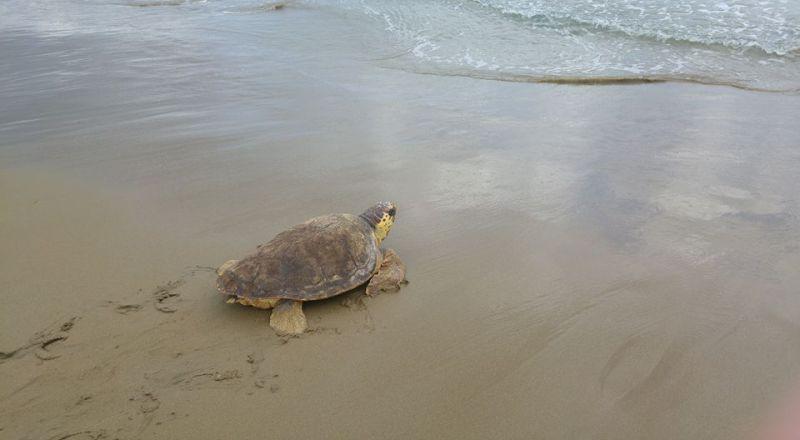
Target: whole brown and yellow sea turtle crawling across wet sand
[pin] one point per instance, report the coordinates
(318, 259)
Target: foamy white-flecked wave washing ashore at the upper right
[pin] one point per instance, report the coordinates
(744, 43)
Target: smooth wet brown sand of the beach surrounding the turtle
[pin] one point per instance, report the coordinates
(585, 261)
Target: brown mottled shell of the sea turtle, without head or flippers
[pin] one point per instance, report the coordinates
(320, 258)
